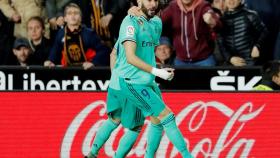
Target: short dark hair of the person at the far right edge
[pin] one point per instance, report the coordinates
(271, 69)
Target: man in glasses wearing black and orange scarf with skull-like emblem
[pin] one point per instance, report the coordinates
(77, 45)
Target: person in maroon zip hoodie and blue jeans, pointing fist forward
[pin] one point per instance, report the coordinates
(191, 23)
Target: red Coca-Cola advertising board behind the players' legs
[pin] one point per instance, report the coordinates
(54, 124)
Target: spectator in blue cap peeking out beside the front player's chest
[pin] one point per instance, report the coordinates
(164, 52)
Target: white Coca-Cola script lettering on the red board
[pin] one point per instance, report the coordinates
(195, 119)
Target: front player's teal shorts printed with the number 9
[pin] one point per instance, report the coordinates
(145, 97)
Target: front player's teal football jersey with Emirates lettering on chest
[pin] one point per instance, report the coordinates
(145, 33)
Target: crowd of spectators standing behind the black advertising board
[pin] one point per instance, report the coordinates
(195, 32)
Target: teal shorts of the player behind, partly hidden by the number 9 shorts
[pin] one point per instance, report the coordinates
(118, 106)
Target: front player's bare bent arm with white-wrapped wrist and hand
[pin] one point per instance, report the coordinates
(130, 50)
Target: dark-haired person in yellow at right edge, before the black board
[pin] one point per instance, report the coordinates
(271, 77)
